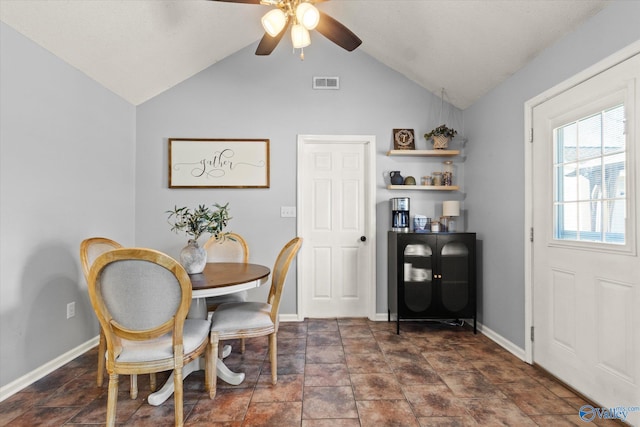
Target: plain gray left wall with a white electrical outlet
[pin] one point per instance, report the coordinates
(66, 173)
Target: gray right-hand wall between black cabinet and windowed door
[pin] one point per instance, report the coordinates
(495, 128)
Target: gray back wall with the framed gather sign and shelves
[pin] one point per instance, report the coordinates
(271, 97)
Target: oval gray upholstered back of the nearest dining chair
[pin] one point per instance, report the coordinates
(139, 293)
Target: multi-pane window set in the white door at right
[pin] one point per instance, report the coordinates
(590, 179)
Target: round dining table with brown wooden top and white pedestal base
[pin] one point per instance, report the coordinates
(218, 278)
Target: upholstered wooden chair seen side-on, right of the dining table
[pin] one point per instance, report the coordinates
(254, 319)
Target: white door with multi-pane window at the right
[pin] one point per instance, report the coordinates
(586, 270)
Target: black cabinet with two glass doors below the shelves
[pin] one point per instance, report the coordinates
(432, 276)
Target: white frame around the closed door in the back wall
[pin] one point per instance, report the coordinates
(369, 142)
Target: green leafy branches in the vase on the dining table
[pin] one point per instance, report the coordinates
(201, 220)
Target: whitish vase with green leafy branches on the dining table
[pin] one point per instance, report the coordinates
(194, 223)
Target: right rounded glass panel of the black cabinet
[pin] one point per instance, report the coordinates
(454, 264)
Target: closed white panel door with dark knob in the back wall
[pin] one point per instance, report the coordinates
(336, 218)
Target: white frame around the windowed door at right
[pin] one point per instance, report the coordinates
(607, 63)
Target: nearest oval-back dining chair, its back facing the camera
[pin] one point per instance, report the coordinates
(141, 298)
